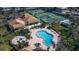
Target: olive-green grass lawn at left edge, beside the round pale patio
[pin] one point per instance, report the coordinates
(5, 37)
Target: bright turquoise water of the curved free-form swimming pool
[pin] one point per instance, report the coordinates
(46, 37)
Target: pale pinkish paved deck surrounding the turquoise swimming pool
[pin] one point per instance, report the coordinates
(35, 39)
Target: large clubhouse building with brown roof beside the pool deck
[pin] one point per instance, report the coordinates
(22, 21)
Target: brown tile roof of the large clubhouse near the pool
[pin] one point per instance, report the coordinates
(19, 22)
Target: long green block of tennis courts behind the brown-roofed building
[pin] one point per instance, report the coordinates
(46, 16)
